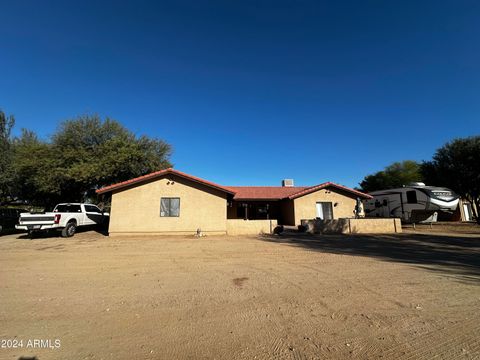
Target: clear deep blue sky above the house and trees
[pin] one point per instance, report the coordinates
(251, 92)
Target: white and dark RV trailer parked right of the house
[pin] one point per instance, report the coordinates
(400, 202)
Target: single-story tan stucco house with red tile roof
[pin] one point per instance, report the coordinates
(172, 202)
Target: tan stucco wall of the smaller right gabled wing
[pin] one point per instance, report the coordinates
(305, 206)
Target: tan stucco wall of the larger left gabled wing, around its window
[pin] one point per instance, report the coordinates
(137, 209)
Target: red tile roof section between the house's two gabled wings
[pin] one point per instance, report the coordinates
(264, 192)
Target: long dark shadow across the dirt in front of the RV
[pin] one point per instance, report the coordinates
(452, 255)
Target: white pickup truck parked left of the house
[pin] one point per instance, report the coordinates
(65, 217)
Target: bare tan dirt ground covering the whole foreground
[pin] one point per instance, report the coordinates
(407, 296)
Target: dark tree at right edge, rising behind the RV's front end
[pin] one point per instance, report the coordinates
(456, 165)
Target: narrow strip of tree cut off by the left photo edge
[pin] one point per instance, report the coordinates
(6, 156)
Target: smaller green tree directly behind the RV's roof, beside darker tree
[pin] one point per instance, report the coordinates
(393, 176)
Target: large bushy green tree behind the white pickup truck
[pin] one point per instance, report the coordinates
(85, 153)
